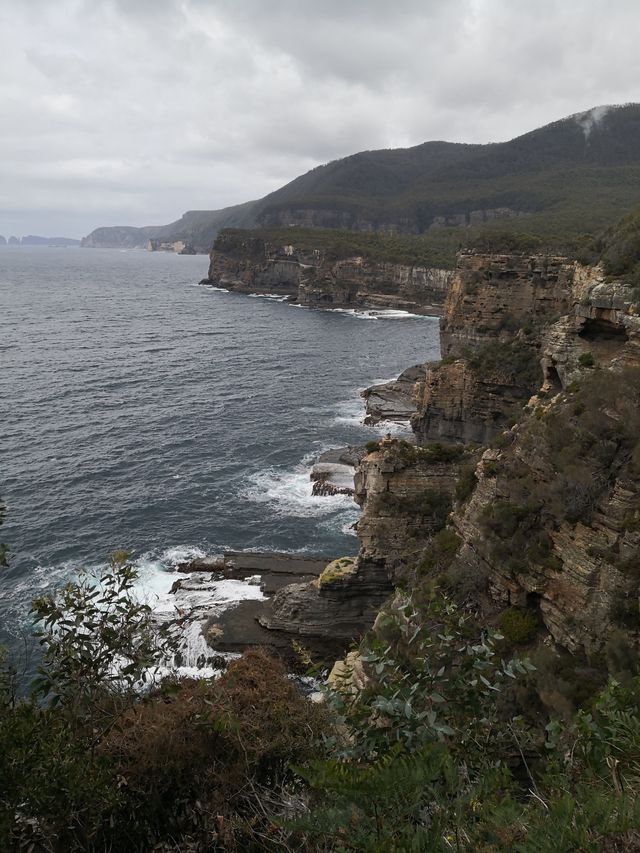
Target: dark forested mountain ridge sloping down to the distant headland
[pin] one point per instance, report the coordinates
(552, 176)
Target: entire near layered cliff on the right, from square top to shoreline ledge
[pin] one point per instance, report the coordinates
(547, 522)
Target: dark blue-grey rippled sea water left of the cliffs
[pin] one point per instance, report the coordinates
(145, 412)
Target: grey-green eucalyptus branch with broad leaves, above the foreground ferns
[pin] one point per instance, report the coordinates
(431, 677)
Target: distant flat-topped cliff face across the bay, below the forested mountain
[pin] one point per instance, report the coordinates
(254, 265)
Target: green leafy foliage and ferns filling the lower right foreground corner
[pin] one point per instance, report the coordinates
(445, 766)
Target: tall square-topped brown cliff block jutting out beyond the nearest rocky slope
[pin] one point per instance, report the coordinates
(496, 309)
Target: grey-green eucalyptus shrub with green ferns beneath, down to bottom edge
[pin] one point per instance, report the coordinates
(421, 740)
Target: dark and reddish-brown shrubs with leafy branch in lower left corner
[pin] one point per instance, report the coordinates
(104, 766)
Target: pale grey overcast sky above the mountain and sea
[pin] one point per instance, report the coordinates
(133, 111)
